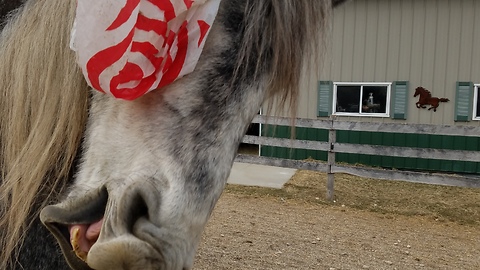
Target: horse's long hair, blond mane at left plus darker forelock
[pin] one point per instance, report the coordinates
(44, 97)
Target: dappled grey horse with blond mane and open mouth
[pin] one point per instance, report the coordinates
(131, 184)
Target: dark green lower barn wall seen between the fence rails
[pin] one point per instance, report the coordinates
(377, 138)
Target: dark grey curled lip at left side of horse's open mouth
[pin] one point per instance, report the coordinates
(57, 218)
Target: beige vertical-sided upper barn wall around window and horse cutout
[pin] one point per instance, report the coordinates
(430, 43)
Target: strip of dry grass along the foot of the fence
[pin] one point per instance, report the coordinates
(442, 203)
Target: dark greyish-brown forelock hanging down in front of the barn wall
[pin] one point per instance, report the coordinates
(289, 42)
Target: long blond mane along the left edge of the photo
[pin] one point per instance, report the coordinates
(43, 110)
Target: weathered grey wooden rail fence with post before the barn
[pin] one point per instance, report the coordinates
(332, 147)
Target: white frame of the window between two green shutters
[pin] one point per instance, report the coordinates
(362, 84)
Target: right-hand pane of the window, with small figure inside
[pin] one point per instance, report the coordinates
(374, 99)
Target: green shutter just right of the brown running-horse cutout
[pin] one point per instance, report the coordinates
(463, 101)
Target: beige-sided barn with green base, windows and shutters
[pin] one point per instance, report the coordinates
(380, 51)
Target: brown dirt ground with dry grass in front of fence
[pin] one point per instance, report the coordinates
(267, 229)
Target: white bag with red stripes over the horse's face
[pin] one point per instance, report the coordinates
(130, 47)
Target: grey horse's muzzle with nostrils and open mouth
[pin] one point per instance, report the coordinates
(117, 228)
